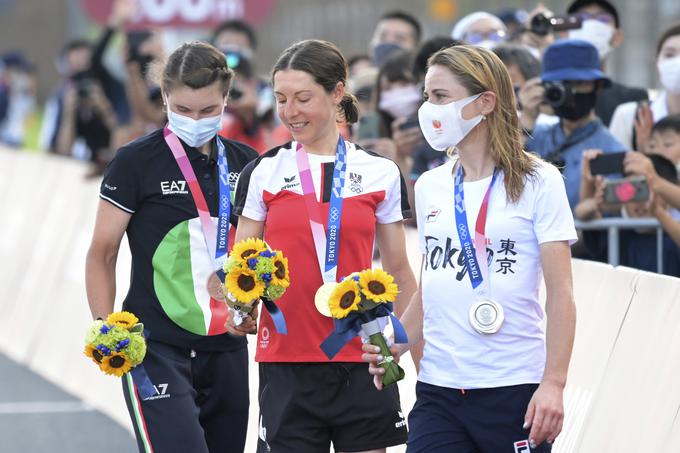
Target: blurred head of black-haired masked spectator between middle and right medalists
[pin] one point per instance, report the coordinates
(395, 30)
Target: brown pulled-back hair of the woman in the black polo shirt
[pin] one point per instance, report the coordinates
(195, 65)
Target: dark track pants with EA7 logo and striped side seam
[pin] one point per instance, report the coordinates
(201, 405)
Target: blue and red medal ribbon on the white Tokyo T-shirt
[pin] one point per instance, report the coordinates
(474, 254)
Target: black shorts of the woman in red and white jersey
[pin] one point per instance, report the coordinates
(304, 407)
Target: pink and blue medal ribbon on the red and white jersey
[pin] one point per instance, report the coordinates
(327, 244)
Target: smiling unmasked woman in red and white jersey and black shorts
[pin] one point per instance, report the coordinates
(308, 402)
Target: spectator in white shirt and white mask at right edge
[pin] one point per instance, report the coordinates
(632, 122)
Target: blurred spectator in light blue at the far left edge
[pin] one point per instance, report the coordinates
(17, 93)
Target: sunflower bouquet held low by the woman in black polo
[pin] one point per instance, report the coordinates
(116, 345)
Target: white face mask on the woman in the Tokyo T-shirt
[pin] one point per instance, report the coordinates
(443, 125)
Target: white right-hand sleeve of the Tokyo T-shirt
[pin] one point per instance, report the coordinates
(553, 219)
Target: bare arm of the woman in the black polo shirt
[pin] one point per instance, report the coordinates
(100, 267)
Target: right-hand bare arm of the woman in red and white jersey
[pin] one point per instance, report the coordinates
(392, 245)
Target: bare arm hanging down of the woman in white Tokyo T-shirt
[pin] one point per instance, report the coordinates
(545, 413)
